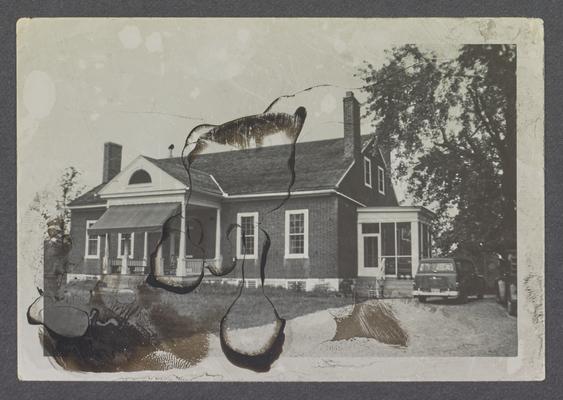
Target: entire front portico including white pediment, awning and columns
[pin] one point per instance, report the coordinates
(150, 213)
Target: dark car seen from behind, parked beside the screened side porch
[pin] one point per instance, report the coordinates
(448, 278)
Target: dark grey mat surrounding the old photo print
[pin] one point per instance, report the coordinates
(552, 14)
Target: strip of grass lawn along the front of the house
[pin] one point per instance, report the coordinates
(202, 310)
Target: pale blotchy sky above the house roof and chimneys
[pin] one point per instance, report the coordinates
(145, 83)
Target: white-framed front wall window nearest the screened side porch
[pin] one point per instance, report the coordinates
(297, 234)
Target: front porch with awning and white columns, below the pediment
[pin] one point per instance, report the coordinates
(132, 234)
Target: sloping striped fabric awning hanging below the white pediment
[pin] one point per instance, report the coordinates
(134, 218)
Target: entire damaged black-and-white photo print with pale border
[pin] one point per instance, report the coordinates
(280, 199)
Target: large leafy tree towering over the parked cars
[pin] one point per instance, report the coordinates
(452, 125)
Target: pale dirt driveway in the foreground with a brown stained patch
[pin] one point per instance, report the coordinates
(437, 328)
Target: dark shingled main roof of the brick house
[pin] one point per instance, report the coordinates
(318, 165)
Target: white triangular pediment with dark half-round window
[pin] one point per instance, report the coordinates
(160, 181)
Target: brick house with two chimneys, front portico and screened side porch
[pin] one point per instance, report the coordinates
(342, 218)
